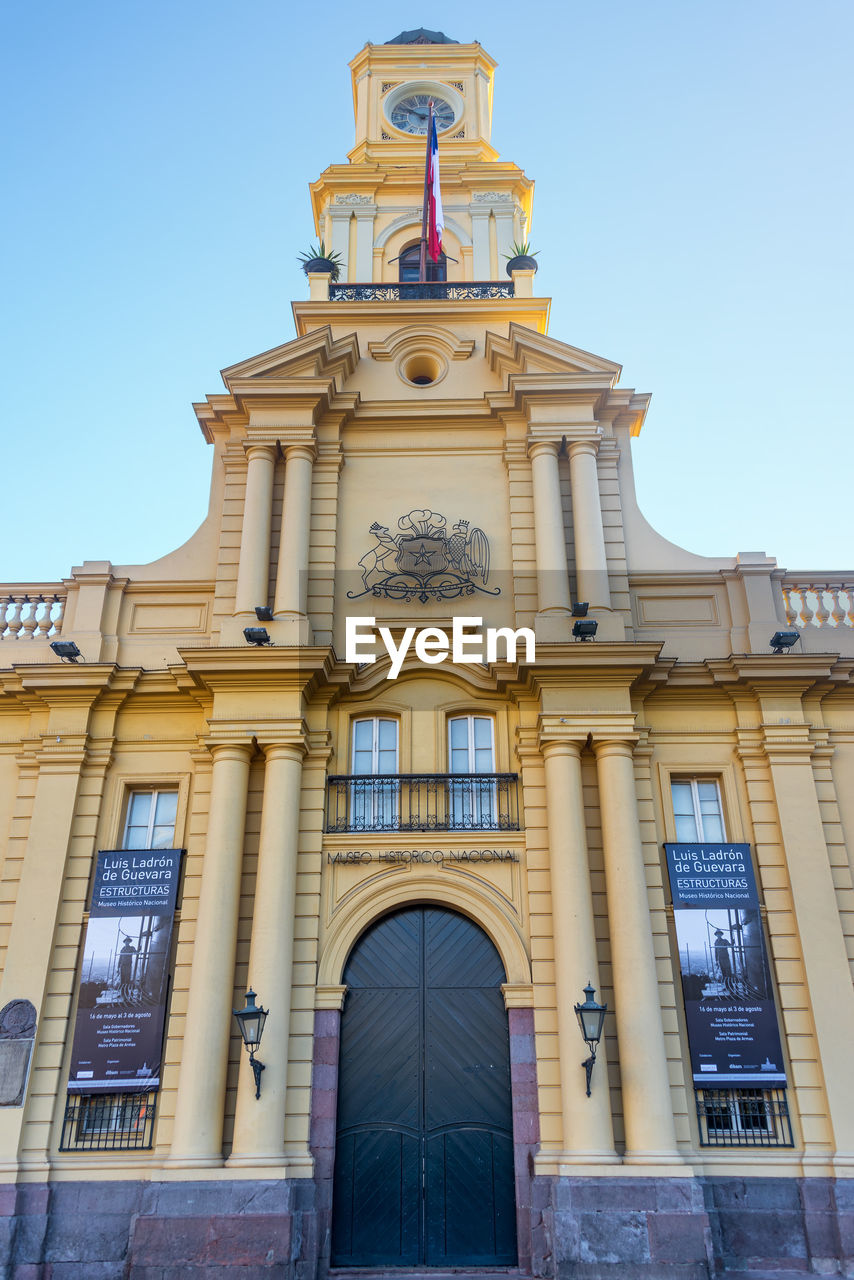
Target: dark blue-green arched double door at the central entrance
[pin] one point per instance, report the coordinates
(424, 1151)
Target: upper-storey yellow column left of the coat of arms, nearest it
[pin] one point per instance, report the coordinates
(293, 578)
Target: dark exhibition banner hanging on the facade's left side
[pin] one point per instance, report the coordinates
(122, 1008)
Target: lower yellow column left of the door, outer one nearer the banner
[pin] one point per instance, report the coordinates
(198, 1136)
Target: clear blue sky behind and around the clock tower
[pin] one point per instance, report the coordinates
(693, 213)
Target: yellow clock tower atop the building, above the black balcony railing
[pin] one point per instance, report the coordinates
(369, 211)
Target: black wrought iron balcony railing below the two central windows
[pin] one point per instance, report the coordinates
(423, 802)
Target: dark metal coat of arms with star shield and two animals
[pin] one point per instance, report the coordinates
(423, 563)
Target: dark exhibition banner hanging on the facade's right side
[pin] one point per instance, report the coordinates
(733, 1031)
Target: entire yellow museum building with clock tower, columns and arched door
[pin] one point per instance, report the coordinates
(419, 861)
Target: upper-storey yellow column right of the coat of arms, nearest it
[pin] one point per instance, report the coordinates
(552, 574)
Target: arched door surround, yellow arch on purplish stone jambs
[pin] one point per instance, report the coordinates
(363, 909)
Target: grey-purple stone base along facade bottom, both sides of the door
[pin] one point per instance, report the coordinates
(583, 1228)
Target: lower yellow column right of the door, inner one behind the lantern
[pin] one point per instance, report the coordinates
(588, 1136)
